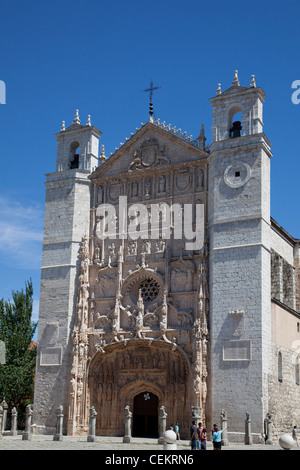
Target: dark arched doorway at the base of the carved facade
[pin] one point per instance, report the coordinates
(145, 415)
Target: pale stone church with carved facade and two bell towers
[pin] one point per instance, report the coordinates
(152, 320)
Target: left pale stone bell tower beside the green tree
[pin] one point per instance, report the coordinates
(67, 218)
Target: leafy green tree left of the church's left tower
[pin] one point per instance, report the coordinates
(17, 330)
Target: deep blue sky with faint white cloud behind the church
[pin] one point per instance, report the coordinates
(98, 56)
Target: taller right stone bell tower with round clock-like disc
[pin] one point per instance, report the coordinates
(239, 256)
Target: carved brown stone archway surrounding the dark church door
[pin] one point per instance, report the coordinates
(123, 372)
